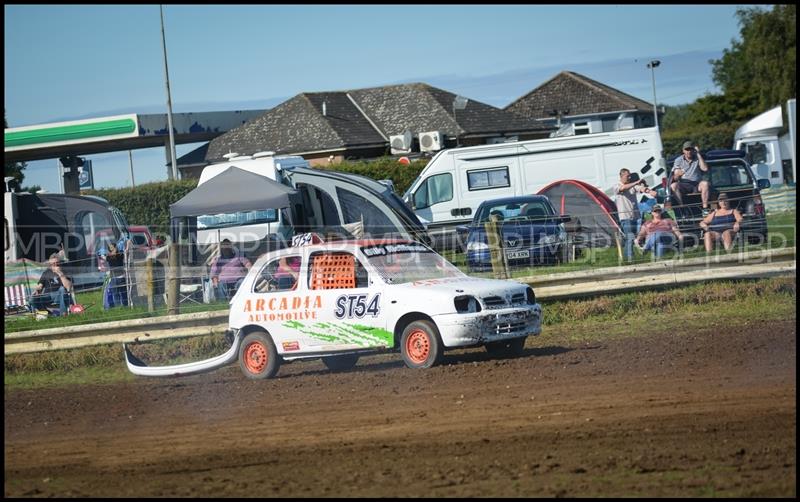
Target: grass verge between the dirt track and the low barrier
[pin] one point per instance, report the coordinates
(574, 321)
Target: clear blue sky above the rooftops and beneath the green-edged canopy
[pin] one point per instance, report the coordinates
(67, 62)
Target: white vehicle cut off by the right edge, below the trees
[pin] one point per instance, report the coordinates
(771, 157)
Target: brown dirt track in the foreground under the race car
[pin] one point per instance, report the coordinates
(681, 414)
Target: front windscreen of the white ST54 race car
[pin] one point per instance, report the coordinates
(401, 263)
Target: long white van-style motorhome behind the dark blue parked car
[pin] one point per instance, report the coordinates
(457, 180)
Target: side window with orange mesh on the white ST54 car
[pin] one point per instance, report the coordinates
(336, 270)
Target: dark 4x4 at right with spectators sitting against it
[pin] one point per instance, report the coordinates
(729, 172)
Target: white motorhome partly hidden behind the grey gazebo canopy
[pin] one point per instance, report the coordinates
(247, 225)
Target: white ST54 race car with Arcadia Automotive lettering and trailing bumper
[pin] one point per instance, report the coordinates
(339, 300)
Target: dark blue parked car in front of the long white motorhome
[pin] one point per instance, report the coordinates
(531, 229)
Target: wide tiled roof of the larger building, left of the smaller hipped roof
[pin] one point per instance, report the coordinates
(328, 127)
